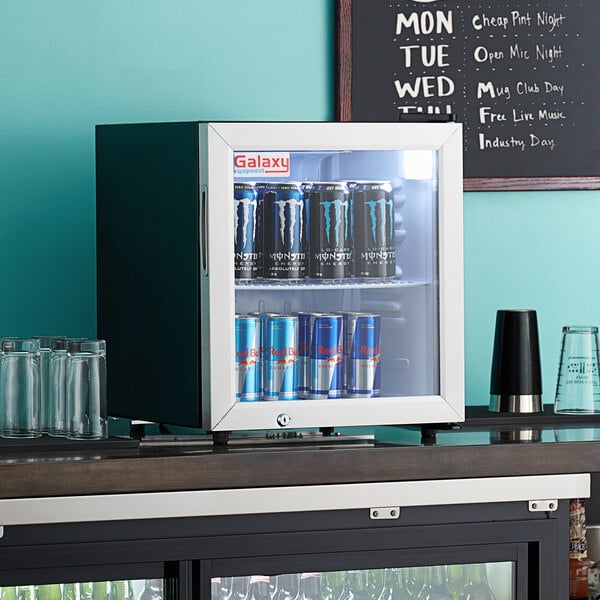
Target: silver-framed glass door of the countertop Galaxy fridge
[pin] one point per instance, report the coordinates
(343, 251)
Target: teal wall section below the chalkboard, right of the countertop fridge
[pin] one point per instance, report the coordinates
(533, 250)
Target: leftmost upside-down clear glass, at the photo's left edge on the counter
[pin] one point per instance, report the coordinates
(20, 388)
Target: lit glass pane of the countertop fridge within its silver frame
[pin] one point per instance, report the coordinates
(348, 242)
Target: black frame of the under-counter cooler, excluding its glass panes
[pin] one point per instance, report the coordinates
(188, 552)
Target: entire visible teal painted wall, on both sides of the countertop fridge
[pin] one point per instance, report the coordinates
(66, 65)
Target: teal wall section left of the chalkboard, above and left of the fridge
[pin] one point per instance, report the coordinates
(66, 65)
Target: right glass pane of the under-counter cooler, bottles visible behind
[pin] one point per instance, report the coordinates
(475, 581)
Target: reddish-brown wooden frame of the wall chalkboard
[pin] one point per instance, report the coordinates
(343, 108)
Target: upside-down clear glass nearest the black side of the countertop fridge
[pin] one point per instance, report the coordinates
(86, 414)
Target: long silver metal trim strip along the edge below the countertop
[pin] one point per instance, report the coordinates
(161, 505)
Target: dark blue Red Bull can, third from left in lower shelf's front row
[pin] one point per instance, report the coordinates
(326, 357)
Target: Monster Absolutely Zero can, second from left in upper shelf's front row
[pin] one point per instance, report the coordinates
(284, 246)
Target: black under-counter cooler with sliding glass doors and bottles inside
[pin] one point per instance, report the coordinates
(499, 551)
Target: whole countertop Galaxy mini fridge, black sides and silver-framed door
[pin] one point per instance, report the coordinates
(281, 275)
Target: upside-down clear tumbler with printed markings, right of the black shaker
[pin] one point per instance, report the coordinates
(578, 385)
